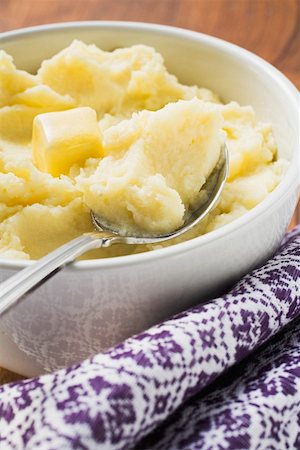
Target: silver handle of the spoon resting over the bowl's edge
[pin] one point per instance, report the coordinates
(36, 274)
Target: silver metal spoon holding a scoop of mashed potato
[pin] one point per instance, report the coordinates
(105, 235)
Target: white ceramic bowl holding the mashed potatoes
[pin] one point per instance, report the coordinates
(94, 304)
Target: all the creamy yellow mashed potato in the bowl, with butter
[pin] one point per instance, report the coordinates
(150, 143)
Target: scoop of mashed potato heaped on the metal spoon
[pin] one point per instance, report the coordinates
(157, 162)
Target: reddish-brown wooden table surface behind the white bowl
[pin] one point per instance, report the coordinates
(269, 28)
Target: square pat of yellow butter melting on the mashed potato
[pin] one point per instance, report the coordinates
(62, 139)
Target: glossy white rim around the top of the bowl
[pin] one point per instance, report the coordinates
(289, 180)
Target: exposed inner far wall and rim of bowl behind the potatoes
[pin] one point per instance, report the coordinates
(231, 72)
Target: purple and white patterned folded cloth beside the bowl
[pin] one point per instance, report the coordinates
(115, 399)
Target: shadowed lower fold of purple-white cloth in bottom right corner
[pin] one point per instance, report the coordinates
(255, 405)
